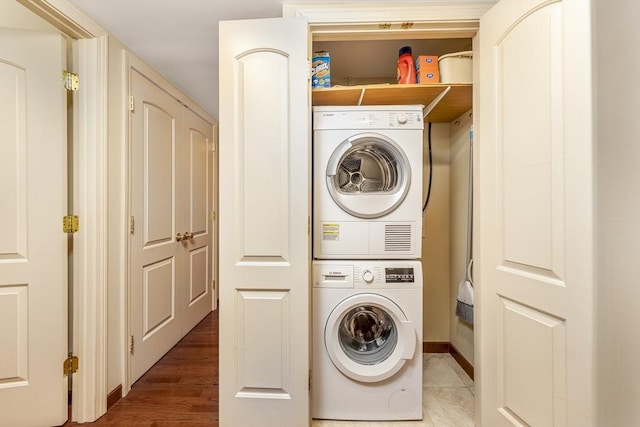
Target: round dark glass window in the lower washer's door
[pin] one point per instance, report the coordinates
(368, 335)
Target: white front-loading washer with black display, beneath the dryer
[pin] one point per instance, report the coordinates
(367, 340)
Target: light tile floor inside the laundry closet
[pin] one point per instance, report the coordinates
(447, 401)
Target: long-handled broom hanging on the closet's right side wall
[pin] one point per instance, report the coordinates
(464, 304)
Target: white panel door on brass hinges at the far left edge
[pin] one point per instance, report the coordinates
(33, 248)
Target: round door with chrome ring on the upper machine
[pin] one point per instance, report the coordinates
(368, 175)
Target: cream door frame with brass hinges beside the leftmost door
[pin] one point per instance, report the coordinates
(89, 199)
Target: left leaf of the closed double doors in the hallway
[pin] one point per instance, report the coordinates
(155, 298)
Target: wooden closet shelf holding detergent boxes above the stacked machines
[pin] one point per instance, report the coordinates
(455, 102)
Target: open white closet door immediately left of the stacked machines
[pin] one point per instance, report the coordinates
(264, 223)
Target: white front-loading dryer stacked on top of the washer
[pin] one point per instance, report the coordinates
(367, 182)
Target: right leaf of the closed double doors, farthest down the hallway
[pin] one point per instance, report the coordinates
(195, 205)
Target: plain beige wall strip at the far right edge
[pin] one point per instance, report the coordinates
(617, 158)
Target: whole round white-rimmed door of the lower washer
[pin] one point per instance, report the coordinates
(368, 337)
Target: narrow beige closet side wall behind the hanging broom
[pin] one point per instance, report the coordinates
(461, 333)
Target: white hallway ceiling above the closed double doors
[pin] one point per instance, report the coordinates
(179, 38)
